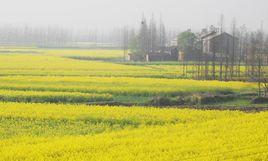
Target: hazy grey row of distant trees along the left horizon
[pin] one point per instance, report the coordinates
(58, 36)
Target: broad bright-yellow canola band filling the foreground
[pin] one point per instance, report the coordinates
(176, 134)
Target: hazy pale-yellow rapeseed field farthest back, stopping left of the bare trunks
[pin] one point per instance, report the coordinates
(46, 62)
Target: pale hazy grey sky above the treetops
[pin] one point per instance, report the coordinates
(105, 14)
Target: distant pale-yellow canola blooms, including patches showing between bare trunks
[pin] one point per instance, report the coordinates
(34, 61)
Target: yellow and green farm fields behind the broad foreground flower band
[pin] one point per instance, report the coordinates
(43, 71)
